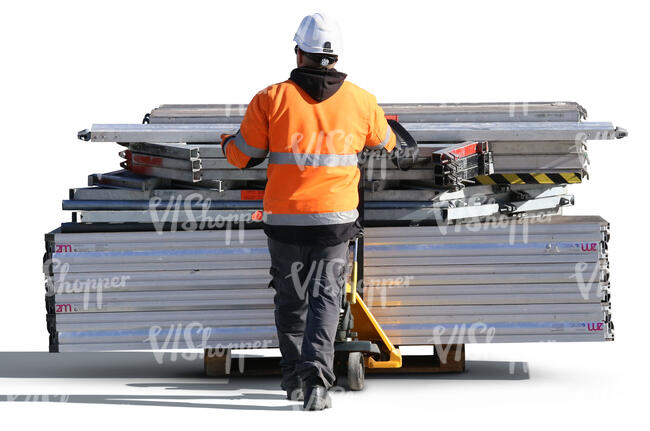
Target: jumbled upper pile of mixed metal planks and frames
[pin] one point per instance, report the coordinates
(535, 150)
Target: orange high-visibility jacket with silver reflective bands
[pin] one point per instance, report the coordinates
(312, 148)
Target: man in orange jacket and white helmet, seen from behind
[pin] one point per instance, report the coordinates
(312, 127)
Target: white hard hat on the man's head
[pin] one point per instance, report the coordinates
(319, 34)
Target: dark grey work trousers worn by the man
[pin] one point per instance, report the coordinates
(308, 283)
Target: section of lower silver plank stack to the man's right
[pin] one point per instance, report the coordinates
(539, 279)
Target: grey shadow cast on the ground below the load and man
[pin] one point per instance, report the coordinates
(143, 365)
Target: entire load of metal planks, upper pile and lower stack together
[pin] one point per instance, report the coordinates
(168, 252)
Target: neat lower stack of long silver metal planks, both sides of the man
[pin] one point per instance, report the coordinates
(543, 280)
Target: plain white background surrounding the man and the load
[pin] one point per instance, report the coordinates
(66, 65)
